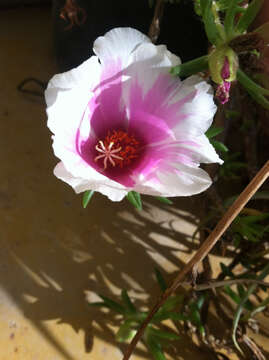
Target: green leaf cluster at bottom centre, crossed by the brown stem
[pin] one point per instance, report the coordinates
(156, 336)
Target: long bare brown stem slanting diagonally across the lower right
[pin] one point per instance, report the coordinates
(205, 248)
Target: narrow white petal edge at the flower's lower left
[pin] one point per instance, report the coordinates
(82, 184)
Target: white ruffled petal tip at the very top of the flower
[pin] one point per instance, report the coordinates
(118, 44)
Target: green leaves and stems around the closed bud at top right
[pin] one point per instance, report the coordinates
(226, 21)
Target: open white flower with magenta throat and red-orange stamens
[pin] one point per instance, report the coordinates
(122, 122)
